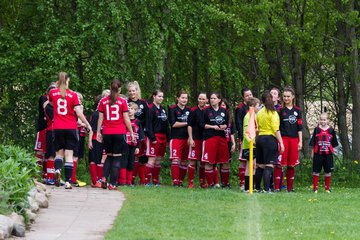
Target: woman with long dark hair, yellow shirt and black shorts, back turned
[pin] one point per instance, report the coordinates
(267, 142)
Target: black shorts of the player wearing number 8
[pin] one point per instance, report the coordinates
(67, 139)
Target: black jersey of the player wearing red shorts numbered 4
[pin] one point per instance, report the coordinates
(213, 117)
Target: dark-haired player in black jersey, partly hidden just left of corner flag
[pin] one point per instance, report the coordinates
(240, 113)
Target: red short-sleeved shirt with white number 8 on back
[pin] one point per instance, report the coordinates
(64, 114)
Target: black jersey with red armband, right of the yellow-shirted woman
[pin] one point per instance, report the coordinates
(290, 121)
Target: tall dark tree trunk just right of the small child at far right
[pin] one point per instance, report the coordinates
(341, 91)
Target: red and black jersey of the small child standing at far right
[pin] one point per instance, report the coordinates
(323, 141)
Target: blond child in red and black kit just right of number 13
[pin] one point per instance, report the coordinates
(126, 168)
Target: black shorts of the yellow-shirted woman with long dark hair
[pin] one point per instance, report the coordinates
(266, 149)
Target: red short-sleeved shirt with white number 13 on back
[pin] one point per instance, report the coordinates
(113, 122)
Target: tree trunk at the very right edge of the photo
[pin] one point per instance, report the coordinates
(355, 90)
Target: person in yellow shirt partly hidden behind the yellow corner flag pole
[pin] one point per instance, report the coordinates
(255, 103)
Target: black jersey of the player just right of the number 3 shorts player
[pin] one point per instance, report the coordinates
(176, 114)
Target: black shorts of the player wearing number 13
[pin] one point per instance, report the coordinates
(115, 144)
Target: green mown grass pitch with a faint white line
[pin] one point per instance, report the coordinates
(180, 213)
